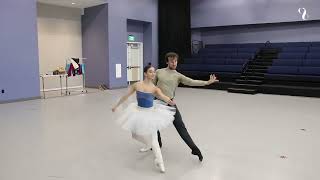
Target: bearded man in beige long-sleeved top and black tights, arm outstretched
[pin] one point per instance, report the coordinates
(168, 79)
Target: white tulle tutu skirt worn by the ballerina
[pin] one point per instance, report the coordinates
(145, 121)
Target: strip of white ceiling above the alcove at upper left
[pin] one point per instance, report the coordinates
(78, 3)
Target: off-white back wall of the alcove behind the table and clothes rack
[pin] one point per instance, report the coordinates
(59, 37)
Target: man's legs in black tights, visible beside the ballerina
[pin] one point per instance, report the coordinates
(183, 132)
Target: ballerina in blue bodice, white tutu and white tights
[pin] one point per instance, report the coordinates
(147, 116)
